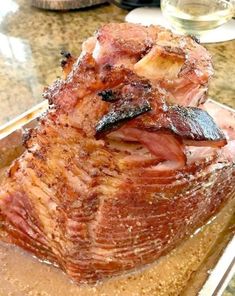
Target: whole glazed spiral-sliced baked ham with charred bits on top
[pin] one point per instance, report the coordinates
(127, 161)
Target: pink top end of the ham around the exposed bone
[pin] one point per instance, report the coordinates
(180, 64)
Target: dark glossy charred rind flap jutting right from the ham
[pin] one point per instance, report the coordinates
(189, 123)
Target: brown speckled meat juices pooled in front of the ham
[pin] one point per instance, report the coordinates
(23, 275)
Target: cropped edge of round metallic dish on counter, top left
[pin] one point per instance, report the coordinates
(64, 4)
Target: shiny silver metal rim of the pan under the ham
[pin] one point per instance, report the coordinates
(224, 267)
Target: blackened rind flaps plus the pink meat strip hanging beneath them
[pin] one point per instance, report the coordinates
(141, 113)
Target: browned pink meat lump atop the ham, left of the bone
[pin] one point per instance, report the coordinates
(123, 44)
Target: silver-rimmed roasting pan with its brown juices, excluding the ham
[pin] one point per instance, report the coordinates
(202, 265)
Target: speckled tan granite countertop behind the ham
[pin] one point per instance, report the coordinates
(30, 44)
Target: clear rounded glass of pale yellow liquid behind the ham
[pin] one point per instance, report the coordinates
(197, 16)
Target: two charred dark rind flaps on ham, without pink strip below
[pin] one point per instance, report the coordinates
(129, 100)
